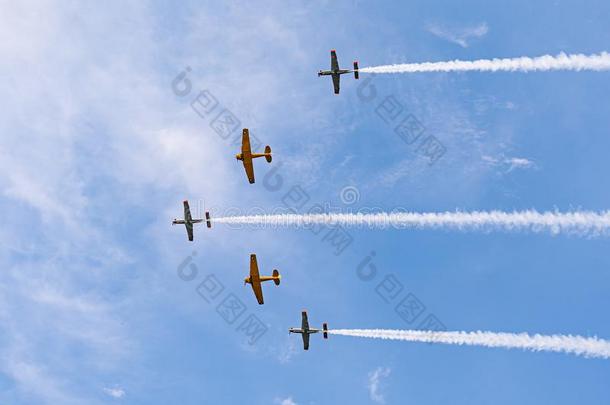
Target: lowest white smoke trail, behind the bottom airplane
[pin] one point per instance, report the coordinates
(578, 345)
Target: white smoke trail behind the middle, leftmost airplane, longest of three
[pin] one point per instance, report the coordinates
(583, 223)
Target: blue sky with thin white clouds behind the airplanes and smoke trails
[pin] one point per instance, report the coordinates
(98, 153)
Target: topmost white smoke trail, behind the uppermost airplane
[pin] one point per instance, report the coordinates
(523, 64)
